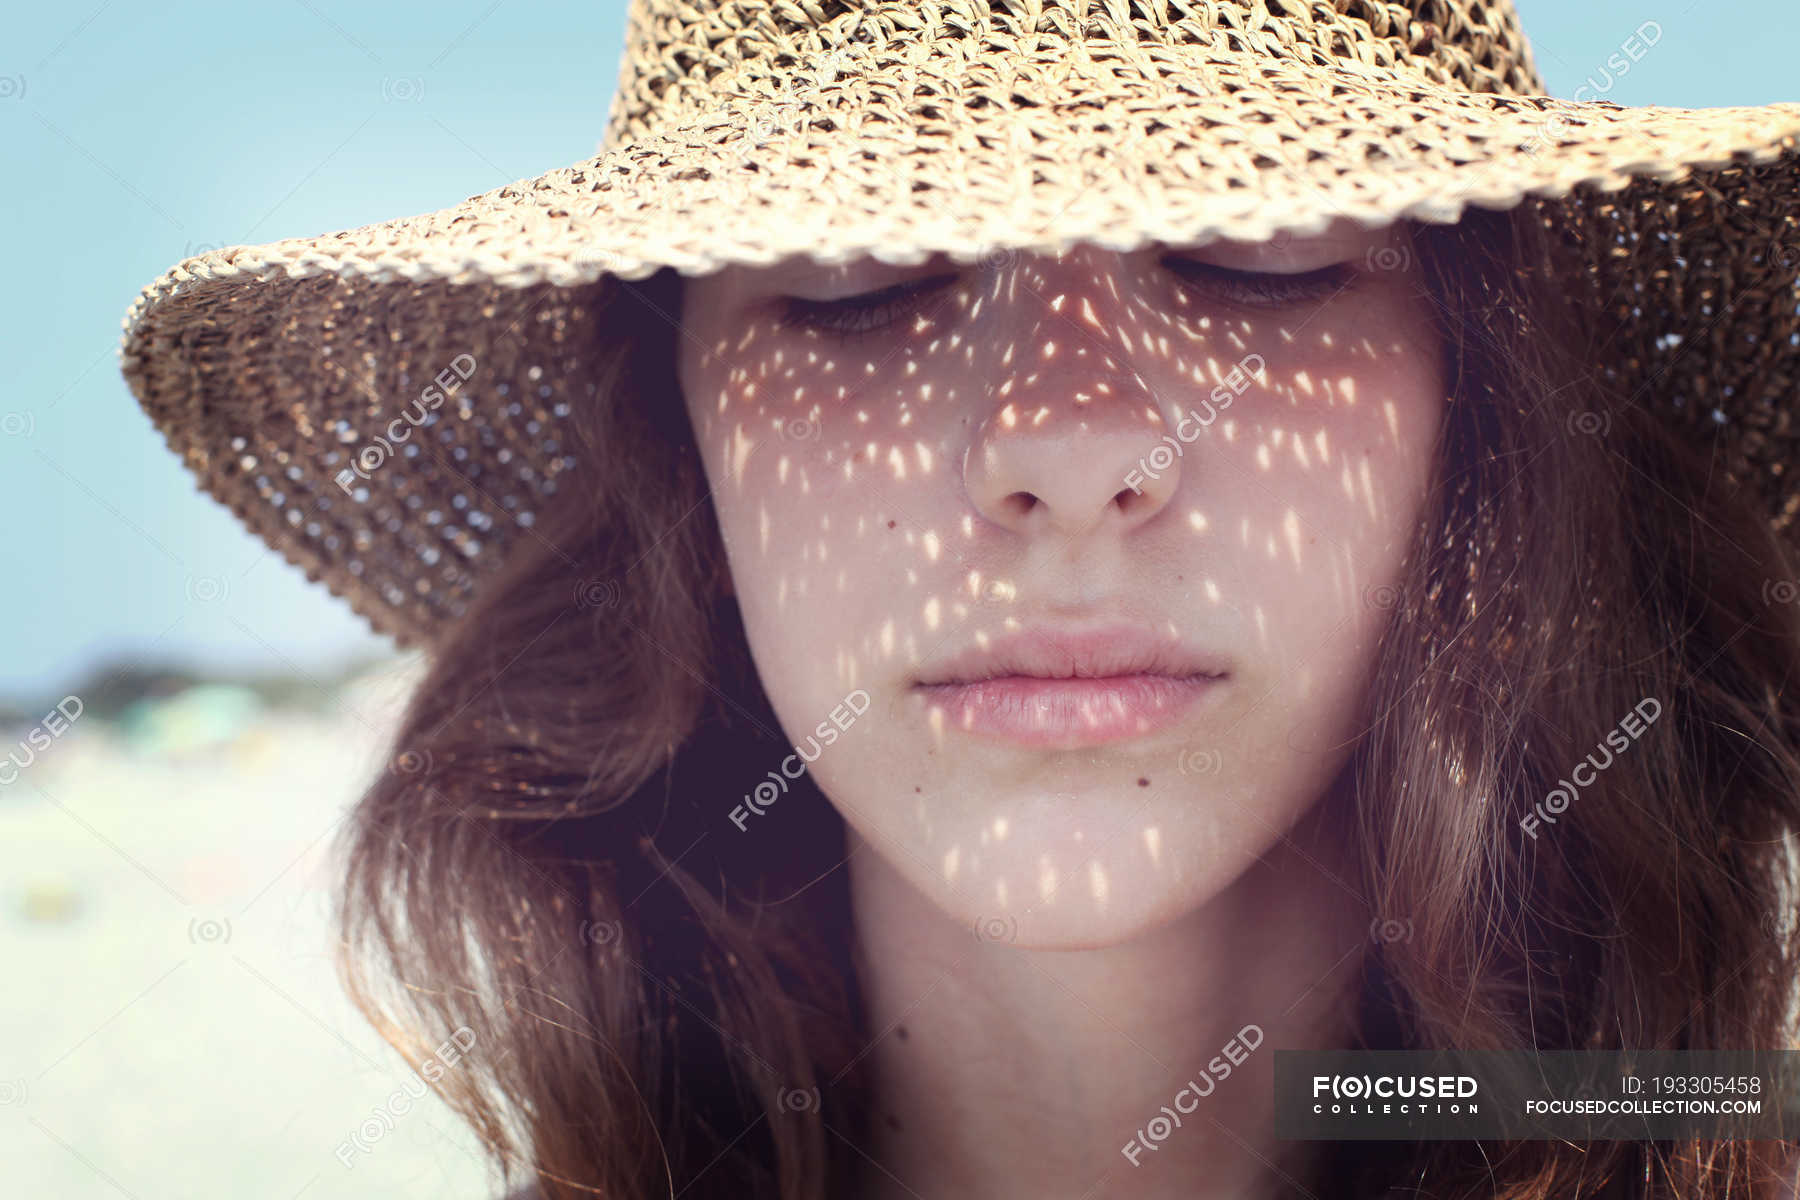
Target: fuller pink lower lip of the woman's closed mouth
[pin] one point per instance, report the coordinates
(1070, 712)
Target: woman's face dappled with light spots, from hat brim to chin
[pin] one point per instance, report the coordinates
(1066, 573)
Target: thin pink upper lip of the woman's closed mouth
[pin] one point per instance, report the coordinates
(1075, 652)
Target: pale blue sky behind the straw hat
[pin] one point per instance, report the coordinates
(139, 134)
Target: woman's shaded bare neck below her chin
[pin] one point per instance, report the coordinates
(1027, 1073)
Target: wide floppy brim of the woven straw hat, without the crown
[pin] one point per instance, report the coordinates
(271, 368)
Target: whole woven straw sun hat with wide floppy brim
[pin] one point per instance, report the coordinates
(750, 130)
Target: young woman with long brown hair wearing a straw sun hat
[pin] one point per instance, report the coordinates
(1029, 550)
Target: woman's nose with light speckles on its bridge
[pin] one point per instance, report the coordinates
(1074, 433)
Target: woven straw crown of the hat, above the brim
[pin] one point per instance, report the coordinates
(679, 55)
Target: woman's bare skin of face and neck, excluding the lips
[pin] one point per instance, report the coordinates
(1066, 936)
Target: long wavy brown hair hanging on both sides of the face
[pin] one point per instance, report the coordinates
(658, 1008)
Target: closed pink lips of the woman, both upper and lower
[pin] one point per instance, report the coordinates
(1065, 688)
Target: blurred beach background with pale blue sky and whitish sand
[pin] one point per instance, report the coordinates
(195, 719)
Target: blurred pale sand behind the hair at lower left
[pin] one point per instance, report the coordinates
(170, 1023)
